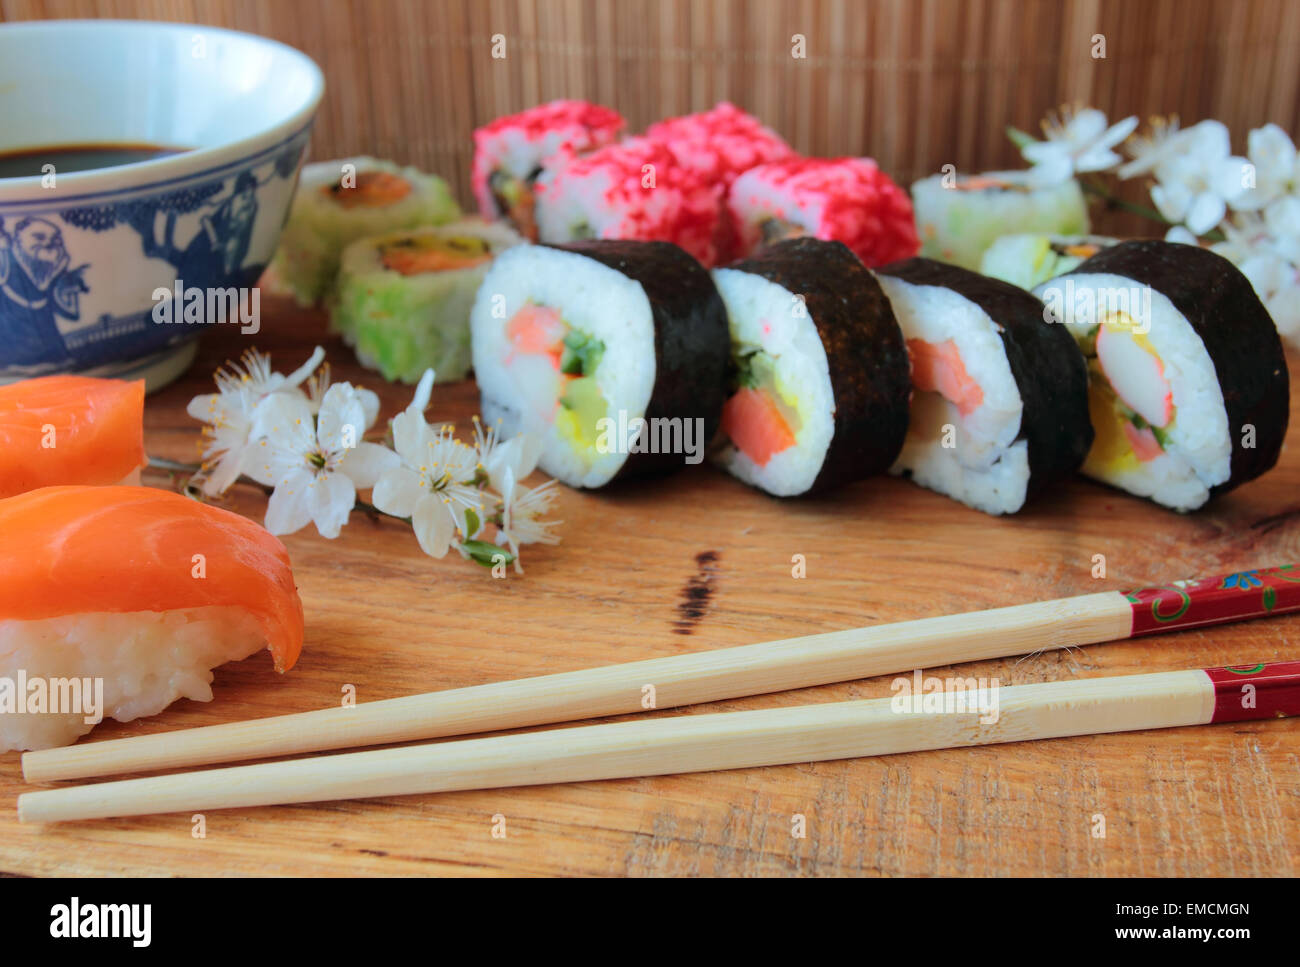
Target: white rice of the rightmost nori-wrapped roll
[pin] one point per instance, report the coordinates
(1199, 454)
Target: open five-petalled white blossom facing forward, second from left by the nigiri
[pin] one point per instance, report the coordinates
(318, 462)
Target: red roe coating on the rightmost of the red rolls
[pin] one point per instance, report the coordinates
(861, 206)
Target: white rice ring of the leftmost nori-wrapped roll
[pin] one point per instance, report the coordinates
(522, 391)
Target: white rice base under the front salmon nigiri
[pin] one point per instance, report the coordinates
(146, 661)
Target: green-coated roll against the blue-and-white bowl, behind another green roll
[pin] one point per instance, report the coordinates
(340, 202)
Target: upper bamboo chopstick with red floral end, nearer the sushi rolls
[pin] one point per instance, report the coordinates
(708, 677)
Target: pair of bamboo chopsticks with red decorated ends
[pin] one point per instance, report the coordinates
(695, 743)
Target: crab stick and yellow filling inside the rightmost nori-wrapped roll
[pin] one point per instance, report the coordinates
(1130, 400)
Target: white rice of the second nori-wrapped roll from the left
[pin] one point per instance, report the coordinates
(766, 316)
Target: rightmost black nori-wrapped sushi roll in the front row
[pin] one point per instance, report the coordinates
(1189, 391)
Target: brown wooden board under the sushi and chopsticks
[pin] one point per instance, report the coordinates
(696, 562)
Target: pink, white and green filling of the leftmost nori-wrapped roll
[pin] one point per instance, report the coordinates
(554, 365)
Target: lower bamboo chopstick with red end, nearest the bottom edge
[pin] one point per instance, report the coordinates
(703, 744)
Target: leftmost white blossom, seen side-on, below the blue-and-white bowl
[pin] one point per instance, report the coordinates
(231, 415)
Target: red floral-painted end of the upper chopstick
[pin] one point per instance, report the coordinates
(1219, 600)
